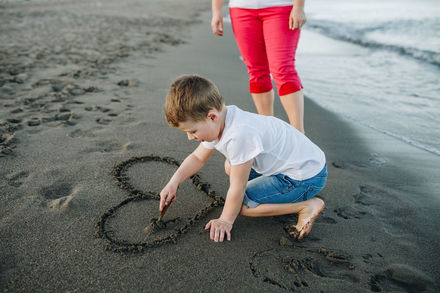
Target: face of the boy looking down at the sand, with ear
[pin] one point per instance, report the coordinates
(205, 130)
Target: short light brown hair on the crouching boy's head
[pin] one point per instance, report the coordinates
(191, 97)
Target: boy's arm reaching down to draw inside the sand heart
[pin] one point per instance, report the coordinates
(189, 167)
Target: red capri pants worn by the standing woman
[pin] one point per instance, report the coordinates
(267, 46)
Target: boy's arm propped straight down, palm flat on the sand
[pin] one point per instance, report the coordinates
(234, 199)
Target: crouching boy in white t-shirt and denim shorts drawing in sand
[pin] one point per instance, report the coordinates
(273, 168)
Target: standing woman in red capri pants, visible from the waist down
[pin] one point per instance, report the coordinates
(267, 34)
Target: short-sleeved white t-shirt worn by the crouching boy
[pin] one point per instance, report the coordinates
(275, 146)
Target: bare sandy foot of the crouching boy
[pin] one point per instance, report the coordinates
(307, 216)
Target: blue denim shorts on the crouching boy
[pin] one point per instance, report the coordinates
(281, 188)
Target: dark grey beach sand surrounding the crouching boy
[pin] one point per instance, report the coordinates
(82, 88)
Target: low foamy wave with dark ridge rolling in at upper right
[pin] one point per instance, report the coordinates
(358, 34)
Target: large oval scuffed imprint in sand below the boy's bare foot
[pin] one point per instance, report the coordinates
(303, 268)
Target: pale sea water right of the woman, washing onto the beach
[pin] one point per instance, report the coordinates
(389, 79)
